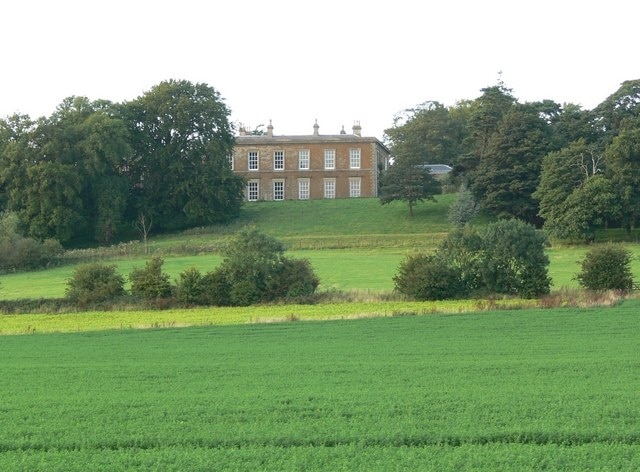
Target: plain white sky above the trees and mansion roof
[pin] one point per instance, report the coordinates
(335, 61)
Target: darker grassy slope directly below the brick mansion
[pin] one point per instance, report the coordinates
(323, 224)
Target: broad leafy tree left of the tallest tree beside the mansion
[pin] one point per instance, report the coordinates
(69, 162)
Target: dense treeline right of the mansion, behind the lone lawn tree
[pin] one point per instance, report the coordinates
(555, 165)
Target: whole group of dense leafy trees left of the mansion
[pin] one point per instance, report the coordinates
(94, 170)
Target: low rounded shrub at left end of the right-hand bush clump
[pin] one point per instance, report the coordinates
(429, 277)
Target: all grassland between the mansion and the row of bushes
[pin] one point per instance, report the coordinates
(353, 244)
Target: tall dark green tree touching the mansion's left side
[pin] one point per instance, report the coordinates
(182, 139)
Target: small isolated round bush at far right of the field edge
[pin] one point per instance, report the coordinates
(606, 268)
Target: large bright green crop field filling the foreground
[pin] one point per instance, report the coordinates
(504, 390)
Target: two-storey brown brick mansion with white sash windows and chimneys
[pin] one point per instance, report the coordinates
(311, 166)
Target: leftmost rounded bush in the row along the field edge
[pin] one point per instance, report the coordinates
(94, 283)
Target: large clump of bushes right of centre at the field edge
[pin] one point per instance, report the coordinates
(507, 257)
